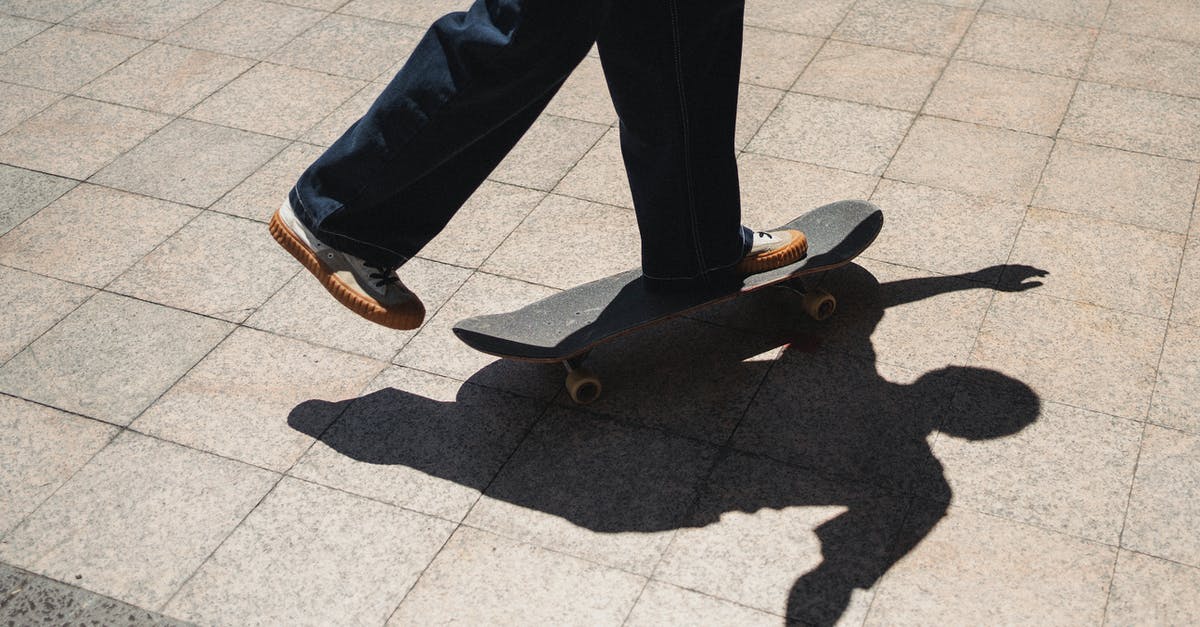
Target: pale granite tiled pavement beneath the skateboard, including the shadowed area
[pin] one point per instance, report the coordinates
(190, 429)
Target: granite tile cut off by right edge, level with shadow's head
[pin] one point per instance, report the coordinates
(1178, 395)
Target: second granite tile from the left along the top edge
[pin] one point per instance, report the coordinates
(146, 20)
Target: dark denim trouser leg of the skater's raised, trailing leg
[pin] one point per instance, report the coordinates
(478, 77)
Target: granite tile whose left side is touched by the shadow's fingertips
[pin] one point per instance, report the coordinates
(1106, 264)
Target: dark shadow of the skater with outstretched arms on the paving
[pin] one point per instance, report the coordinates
(826, 419)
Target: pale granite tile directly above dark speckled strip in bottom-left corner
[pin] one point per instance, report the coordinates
(139, 519)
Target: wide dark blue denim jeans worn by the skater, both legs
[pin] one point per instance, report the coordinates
(479, 79)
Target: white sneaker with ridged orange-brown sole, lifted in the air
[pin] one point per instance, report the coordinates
(374, 292)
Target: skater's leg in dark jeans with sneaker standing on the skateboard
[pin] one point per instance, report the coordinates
(673, 69)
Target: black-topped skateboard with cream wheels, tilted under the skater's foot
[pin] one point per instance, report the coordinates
(567, 326)
